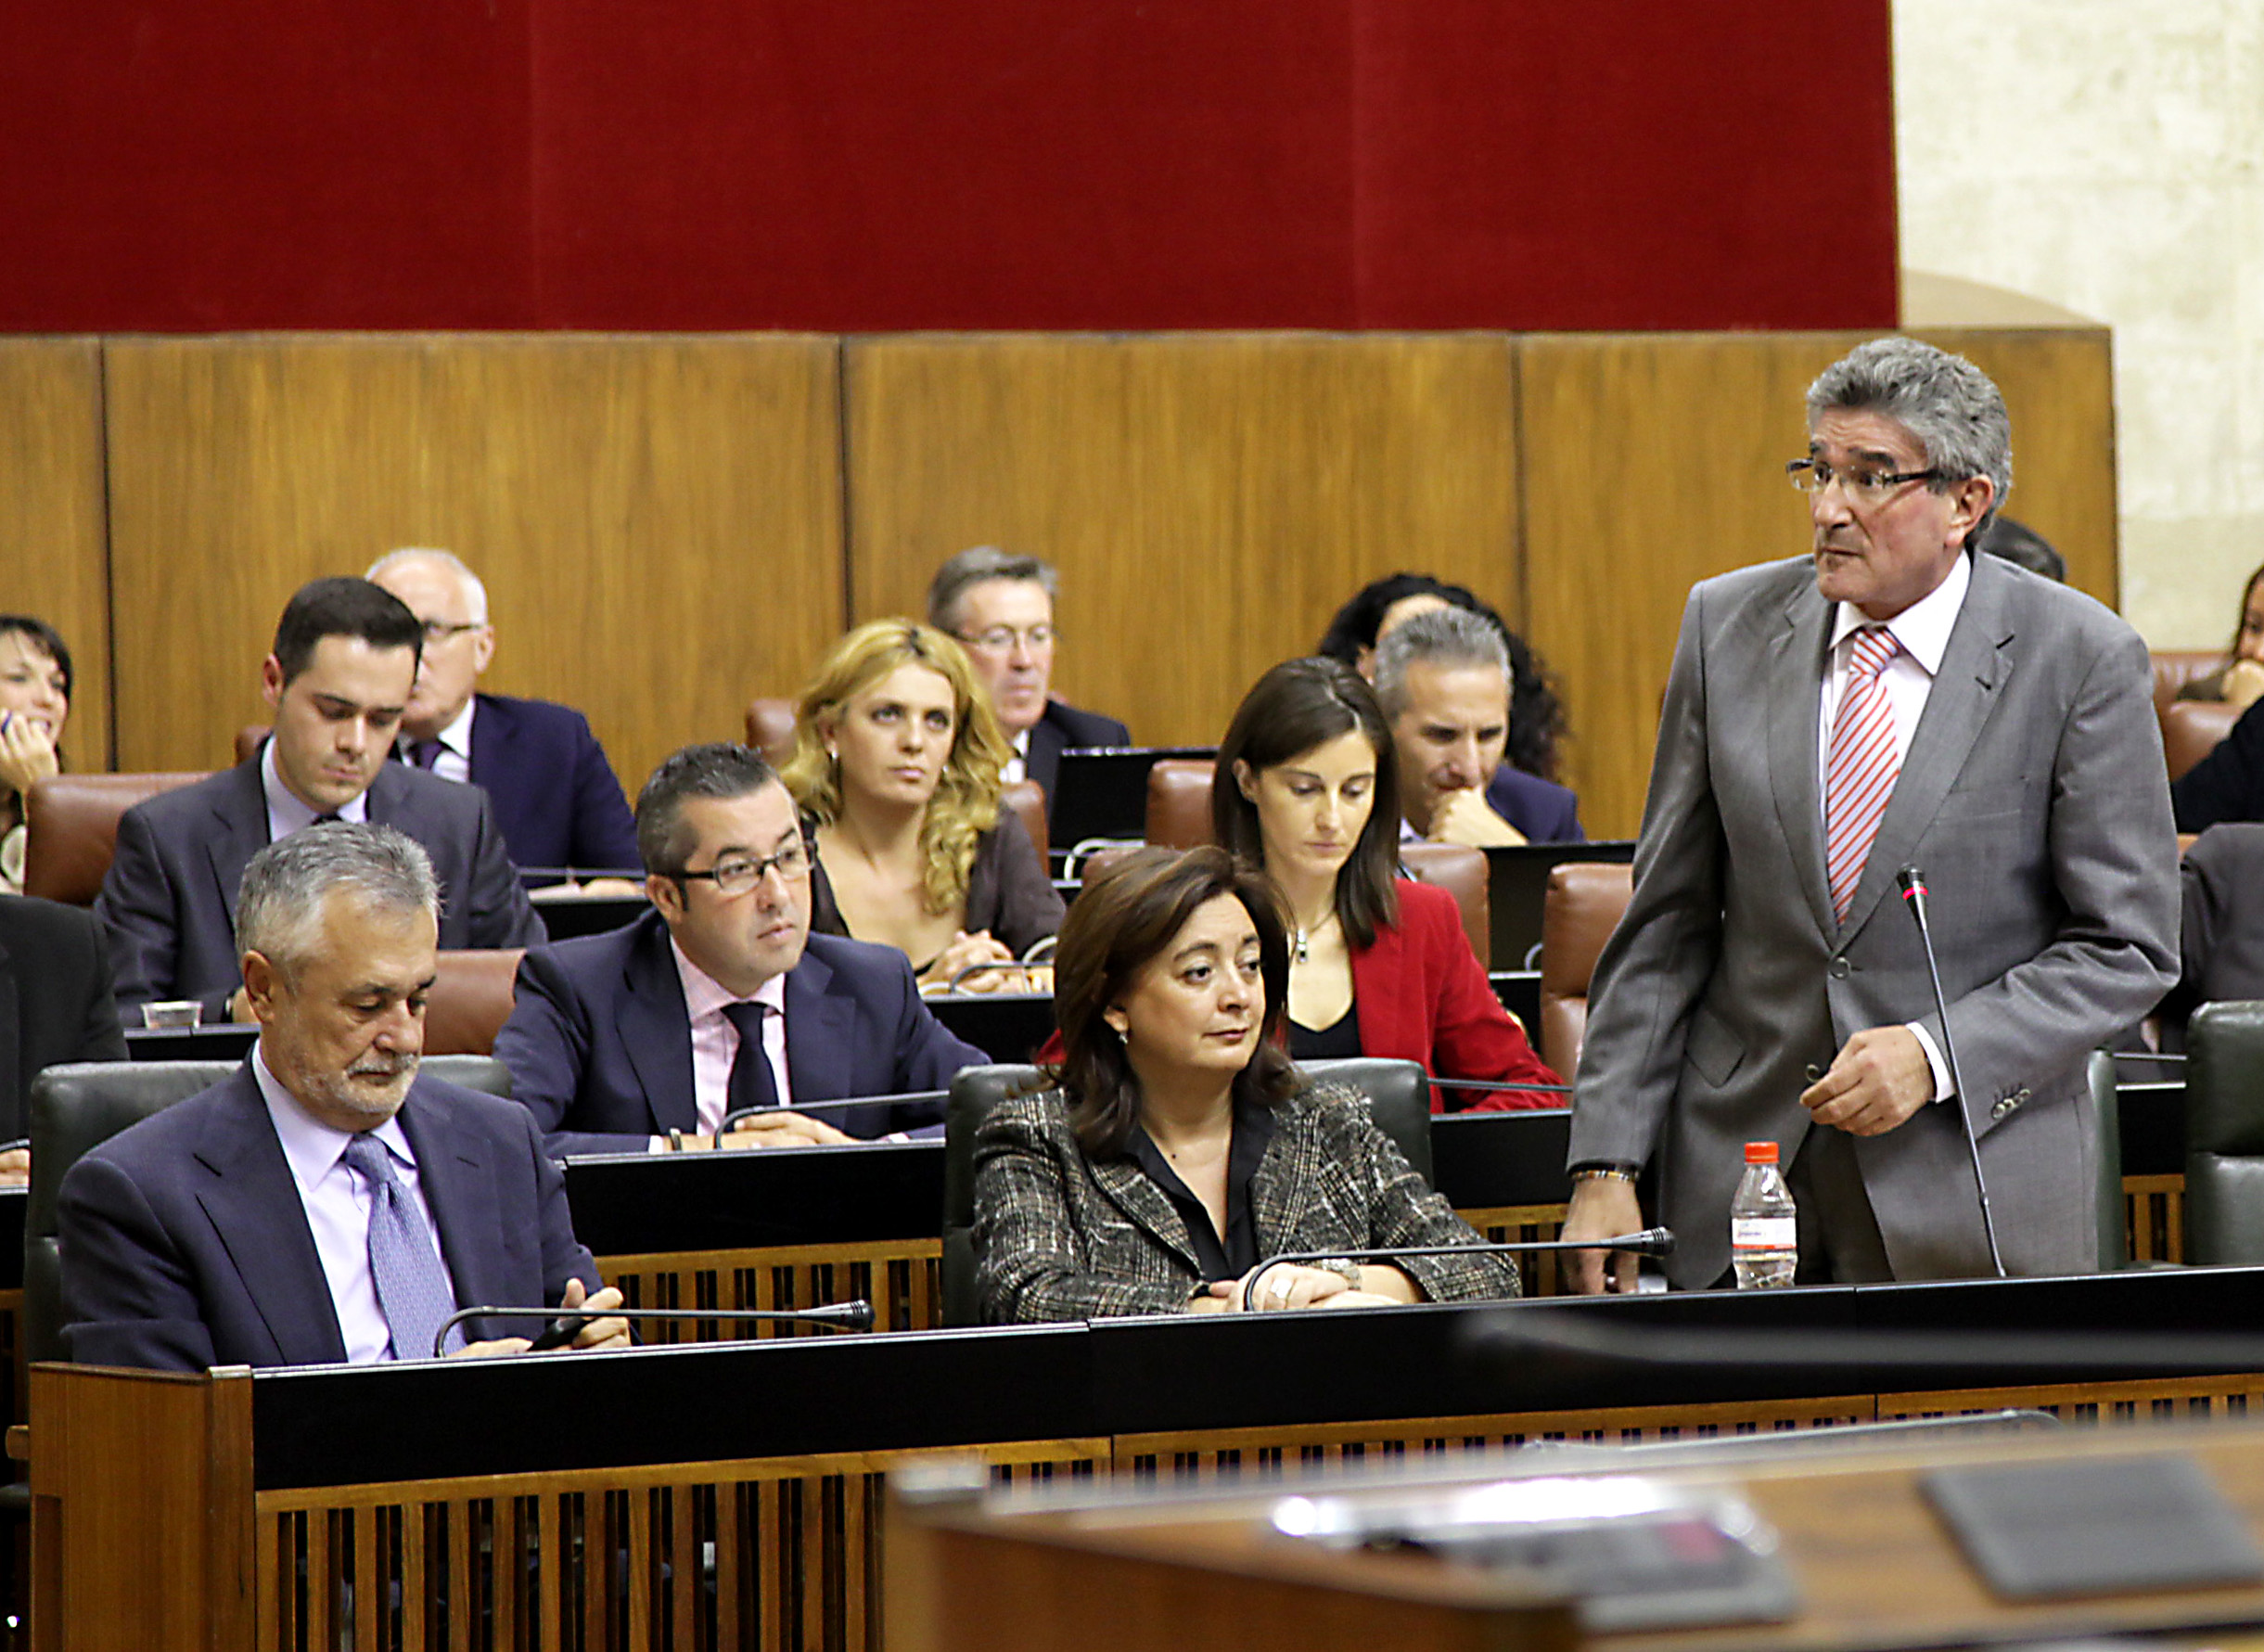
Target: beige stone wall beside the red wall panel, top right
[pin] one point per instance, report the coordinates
(2109, 157)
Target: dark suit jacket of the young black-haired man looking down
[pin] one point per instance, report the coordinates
(171, 893)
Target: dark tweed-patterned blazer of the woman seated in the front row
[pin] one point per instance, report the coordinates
(1061, 1237)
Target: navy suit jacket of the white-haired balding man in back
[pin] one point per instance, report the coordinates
(551, 789)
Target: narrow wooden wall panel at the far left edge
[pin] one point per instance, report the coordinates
(53, 519)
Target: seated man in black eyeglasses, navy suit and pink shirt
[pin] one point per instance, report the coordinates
(721, 999)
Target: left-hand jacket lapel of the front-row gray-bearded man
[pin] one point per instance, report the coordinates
(259, 1216)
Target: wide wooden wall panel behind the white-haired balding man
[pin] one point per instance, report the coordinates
(658, 519)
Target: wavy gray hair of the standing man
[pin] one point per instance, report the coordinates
(1948, 404)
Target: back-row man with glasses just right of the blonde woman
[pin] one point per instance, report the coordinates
(1002, 610)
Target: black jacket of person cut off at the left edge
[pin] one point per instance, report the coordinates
(55, 999)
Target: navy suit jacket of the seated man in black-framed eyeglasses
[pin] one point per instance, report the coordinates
(601, 1049)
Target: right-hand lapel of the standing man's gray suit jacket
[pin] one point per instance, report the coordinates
(1975, 669)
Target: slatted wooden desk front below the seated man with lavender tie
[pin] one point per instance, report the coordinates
(775, 1556)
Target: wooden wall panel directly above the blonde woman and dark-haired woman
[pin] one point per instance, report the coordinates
(1210, 499)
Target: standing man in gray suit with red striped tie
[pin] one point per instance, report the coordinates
(1887, 700)
